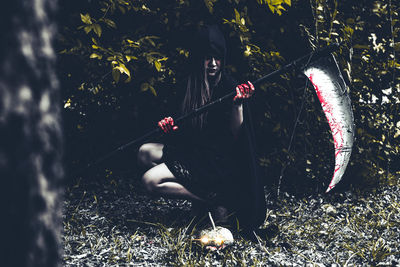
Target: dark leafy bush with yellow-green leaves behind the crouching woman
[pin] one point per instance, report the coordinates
(121, 62)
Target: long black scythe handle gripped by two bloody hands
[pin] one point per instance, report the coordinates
(296, 63)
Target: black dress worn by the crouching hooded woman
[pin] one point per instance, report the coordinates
(211, 164)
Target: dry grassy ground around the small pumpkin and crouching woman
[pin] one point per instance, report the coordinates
(116, 224)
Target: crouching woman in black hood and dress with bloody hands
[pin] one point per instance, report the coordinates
(201, 160)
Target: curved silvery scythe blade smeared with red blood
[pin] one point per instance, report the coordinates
(330, 87)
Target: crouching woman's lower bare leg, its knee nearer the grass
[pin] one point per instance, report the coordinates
(160, 180)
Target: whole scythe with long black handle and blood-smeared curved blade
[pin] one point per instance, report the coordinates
(321, 68)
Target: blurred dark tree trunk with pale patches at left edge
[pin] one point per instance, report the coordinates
(30, 136)
